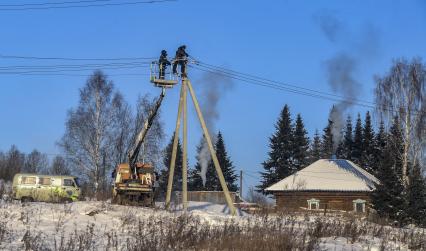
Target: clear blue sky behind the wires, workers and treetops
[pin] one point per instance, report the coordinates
(280, 40)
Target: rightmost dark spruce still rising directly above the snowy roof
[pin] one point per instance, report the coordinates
(368, 144)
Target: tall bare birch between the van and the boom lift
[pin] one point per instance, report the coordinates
(88, 130)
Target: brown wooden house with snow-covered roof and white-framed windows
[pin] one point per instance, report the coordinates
(332, 184)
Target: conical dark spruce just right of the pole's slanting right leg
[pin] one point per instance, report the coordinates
(226, 165)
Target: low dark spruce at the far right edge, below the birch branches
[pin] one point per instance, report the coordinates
(416, 196)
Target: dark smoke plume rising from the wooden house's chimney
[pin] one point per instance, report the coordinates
(341, 69)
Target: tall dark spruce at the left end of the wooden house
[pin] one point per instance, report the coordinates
(279, 163)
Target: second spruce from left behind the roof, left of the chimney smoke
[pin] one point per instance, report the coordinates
(300, 145)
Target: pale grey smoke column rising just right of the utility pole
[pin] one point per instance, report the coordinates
(214, 87)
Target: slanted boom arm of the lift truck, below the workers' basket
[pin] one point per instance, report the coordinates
(134, 152)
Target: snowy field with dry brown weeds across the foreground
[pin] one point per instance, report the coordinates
(102, 226)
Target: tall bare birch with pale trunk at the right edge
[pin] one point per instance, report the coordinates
(402, 93)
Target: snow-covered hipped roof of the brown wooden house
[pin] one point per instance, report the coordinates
(328, 175)
